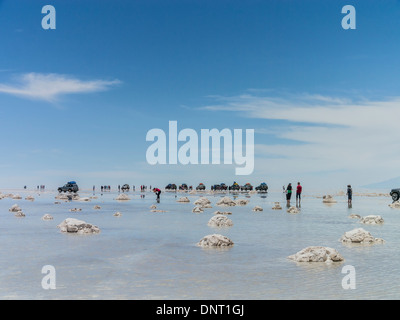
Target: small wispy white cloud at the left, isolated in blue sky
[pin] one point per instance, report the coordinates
(49, 87)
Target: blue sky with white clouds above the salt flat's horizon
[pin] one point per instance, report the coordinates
(76, 102)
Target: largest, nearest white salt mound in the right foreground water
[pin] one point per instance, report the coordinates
(317, 254)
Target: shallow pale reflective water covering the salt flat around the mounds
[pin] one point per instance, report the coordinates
(151, 255)
